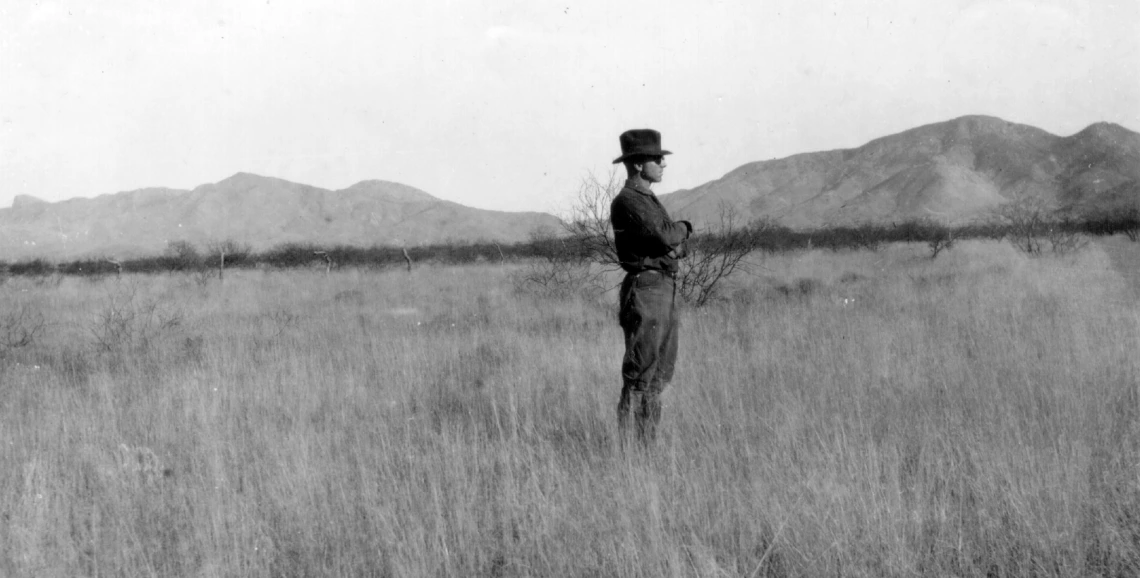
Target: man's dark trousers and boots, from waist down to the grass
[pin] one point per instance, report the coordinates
(650, 323)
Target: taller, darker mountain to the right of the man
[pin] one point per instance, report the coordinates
(952, 172)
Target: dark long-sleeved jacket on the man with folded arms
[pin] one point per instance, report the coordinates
(646, 238)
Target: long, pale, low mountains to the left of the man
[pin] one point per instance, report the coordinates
(262, 211)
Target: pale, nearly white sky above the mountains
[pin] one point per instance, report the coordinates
(508, 104)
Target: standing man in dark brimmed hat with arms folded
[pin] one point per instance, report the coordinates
(649, 246)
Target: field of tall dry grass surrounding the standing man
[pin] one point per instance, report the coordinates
(836, 414)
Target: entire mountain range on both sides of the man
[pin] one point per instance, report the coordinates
(954, 172)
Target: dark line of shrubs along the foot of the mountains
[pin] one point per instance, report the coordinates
(763, 237)
